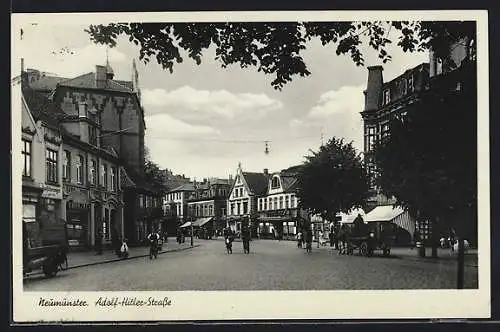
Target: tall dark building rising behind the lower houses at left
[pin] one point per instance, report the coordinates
(108, 112)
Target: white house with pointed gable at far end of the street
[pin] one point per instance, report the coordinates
(242, 202)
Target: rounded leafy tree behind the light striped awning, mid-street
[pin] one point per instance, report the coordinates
(332, 180)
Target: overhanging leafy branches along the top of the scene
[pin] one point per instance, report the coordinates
(275, 48)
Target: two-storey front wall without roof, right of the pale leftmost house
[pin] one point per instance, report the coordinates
(92, 193)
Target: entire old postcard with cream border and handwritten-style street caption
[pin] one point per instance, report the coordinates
(184, 166)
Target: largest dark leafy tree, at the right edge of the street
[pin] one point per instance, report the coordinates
(429, 160)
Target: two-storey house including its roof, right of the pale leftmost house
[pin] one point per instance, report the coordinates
(84, 172)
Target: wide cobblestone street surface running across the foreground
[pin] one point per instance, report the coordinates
(271, 265)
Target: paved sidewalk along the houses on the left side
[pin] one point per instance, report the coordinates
(79, 259)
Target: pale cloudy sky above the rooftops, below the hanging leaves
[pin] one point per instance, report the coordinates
(197, 117)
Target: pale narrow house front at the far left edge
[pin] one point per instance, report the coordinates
(41, 151)
